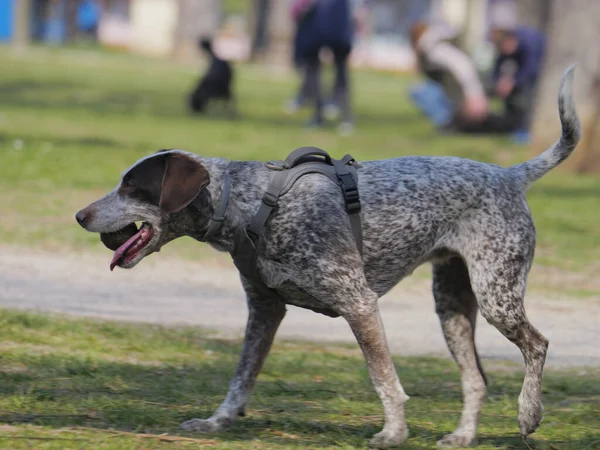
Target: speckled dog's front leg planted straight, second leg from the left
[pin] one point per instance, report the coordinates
(368, 329)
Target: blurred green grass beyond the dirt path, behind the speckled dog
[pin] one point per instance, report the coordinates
(71, 121)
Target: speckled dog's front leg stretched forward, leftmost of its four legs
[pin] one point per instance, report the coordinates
(263, 321)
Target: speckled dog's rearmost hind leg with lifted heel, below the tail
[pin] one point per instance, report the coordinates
(498, 273)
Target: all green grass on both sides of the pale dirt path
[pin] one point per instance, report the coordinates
(72, 120)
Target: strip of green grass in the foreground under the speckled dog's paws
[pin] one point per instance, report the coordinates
(71, 384)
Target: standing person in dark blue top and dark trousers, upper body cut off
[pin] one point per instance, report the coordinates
(324, 24)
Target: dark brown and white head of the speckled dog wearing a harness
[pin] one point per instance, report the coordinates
(156, 191)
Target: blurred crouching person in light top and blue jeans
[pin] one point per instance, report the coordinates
(453, 95)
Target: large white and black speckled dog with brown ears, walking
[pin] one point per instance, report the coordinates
(469, 219)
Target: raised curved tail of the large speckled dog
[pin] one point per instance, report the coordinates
(536, 168)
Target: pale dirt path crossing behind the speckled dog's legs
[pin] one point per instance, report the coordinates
(171, 291)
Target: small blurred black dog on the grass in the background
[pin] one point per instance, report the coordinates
(216, 84)
